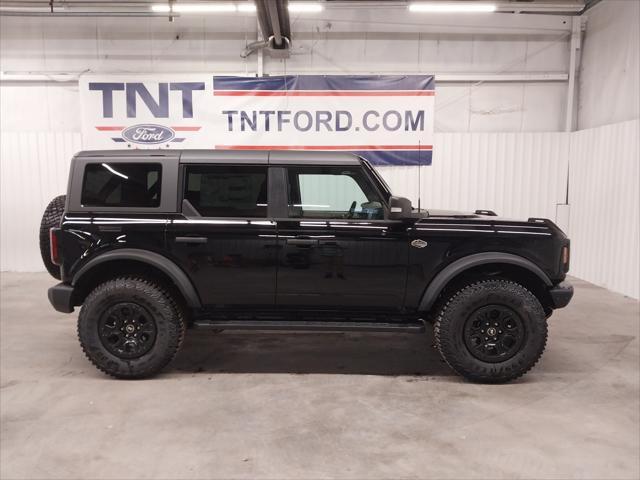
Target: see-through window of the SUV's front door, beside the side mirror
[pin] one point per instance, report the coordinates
(332, 192)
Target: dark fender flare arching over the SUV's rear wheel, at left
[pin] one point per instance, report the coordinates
(165, 265)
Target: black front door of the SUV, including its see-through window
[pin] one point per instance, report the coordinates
(336, 249)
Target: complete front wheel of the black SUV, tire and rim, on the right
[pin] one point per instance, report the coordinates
(491, 331)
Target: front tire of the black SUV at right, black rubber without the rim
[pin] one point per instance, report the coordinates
(449, 330)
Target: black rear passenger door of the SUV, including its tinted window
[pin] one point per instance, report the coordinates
(225, 240)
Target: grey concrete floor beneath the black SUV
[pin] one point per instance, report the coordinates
(268, 405)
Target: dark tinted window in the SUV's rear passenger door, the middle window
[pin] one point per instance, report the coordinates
(227, 191)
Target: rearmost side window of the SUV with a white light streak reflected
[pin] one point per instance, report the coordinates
(122, 185)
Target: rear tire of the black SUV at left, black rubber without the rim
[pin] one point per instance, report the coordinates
(158, 302)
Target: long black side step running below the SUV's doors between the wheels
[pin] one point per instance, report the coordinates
(400, 327)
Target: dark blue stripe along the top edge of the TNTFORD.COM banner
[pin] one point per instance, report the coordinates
(327, 82)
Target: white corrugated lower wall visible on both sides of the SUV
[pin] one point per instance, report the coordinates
(516, 174)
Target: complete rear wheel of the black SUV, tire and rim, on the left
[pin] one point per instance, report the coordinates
(130, 327)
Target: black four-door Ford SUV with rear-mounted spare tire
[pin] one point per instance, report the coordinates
(151, 242)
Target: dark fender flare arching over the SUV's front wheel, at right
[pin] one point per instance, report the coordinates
(455, 268)
